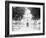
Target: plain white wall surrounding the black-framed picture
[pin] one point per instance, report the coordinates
(2, 19)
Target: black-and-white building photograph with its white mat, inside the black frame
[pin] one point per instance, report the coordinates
(25, 19)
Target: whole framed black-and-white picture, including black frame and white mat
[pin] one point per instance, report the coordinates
(24, 19)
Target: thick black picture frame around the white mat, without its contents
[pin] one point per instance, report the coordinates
(7, 18)
